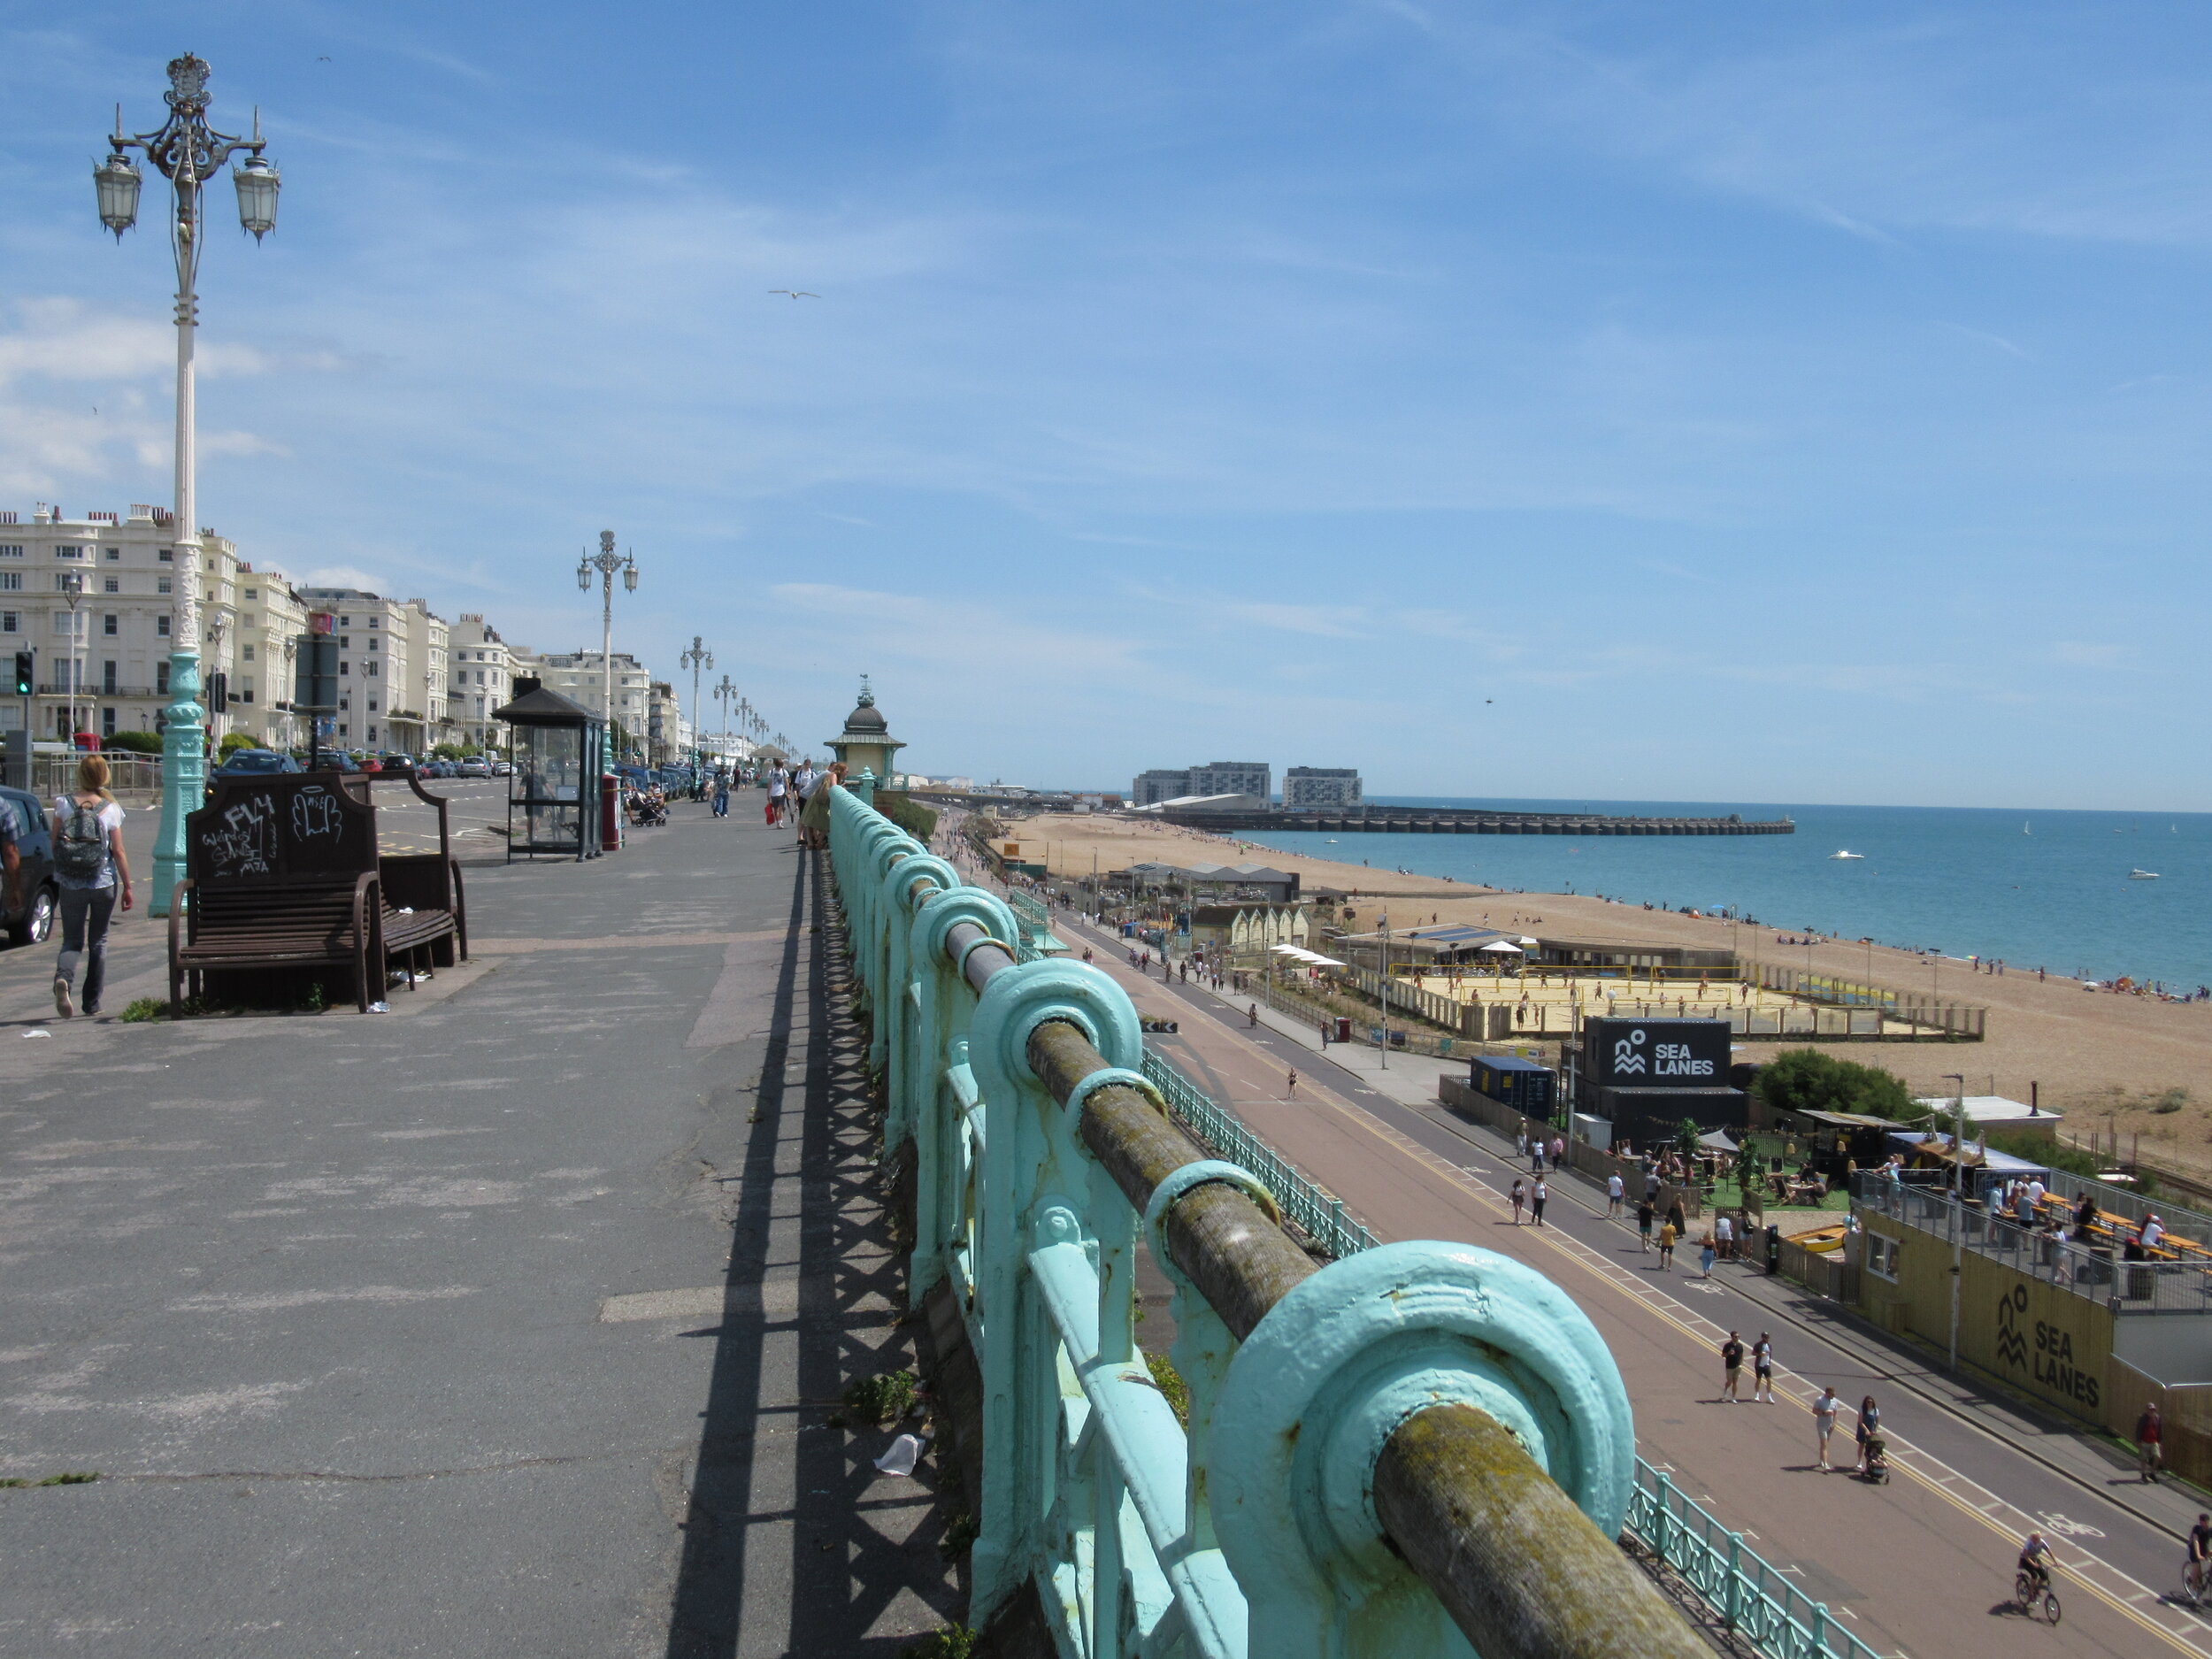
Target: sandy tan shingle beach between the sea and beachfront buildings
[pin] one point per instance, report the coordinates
(2091, 1054)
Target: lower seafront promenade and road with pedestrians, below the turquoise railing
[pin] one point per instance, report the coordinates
(1917, 1567)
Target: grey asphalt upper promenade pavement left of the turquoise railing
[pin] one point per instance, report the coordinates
(508, 1322)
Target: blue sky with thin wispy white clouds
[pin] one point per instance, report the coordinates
(1726, 404)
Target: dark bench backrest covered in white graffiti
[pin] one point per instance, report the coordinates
(262, 833)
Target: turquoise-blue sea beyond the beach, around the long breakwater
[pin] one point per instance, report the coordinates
(2030, 888)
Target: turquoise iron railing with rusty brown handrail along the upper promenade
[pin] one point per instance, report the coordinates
(1353, 1426)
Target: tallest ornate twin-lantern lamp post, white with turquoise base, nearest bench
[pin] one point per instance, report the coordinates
(189, 154)
